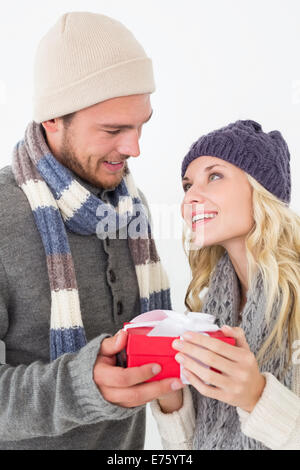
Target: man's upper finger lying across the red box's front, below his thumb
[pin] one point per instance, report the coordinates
(118, 377)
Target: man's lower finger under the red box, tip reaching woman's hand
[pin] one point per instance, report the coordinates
(140, 394)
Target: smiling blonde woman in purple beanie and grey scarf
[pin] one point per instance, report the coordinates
(248, 258)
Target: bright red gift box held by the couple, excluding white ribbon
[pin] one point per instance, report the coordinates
(142, 349)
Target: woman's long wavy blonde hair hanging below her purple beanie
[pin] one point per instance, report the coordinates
(273, 247)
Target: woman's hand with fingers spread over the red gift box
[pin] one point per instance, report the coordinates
(240, 382)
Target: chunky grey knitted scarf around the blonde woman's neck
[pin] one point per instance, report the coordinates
(217, 423)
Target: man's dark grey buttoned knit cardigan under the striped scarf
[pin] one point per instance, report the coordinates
(57, 405)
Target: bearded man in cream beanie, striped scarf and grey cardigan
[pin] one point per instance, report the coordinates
(58, 271)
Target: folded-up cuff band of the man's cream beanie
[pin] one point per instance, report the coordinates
(132, 77)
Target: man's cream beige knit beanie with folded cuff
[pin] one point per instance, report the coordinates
(86, 58)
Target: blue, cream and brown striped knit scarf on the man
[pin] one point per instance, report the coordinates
(58, 200)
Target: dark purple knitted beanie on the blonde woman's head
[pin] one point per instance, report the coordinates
(264, 156)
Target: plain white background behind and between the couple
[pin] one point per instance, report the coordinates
(215, 62)
